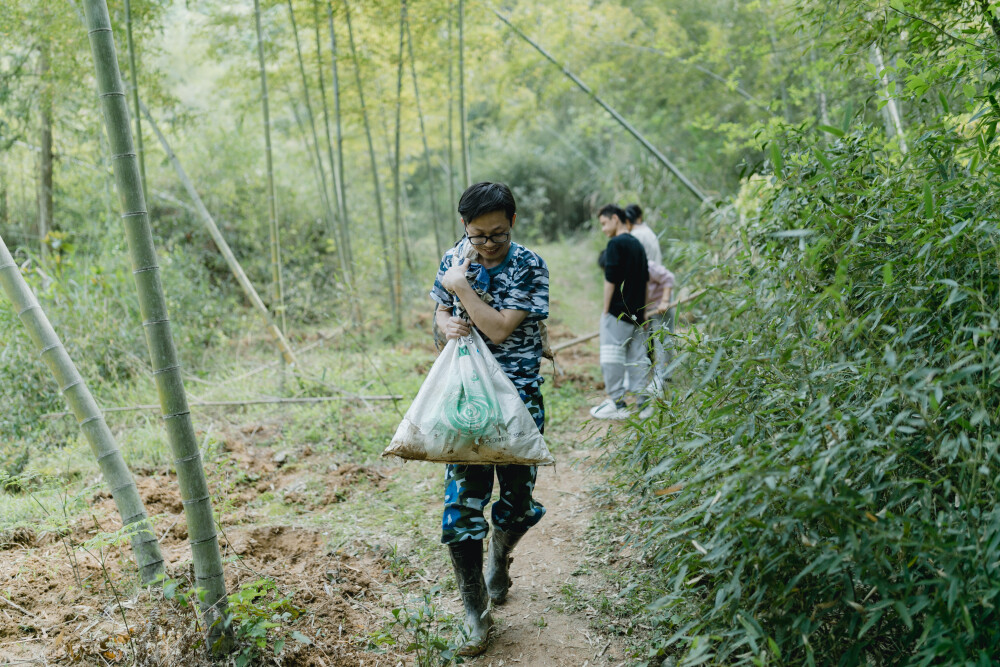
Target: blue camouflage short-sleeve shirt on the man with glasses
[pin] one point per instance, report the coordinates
(520, 282)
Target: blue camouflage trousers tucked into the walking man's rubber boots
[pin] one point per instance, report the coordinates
(468, 489)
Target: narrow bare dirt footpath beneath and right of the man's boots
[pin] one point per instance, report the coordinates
(534, 626)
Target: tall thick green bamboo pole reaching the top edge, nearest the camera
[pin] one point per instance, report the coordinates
(208, 571)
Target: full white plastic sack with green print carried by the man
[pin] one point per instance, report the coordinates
(468, 411)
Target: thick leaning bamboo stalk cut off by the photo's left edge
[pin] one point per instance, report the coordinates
(88, 415)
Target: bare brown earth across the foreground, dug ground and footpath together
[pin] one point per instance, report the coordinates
(63, 604)
